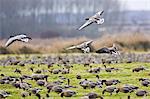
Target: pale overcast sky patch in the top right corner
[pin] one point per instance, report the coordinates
(136, 4)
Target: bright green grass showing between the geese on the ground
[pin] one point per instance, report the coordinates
(125, 75)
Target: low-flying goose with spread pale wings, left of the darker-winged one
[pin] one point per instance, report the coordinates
(85, 46)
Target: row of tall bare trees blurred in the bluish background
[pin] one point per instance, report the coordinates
(34, 16)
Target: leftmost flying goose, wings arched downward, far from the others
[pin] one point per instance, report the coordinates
(20, 37)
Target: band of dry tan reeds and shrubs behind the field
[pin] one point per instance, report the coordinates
(124, 41)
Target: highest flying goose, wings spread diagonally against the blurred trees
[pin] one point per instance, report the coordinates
(93, 19)
